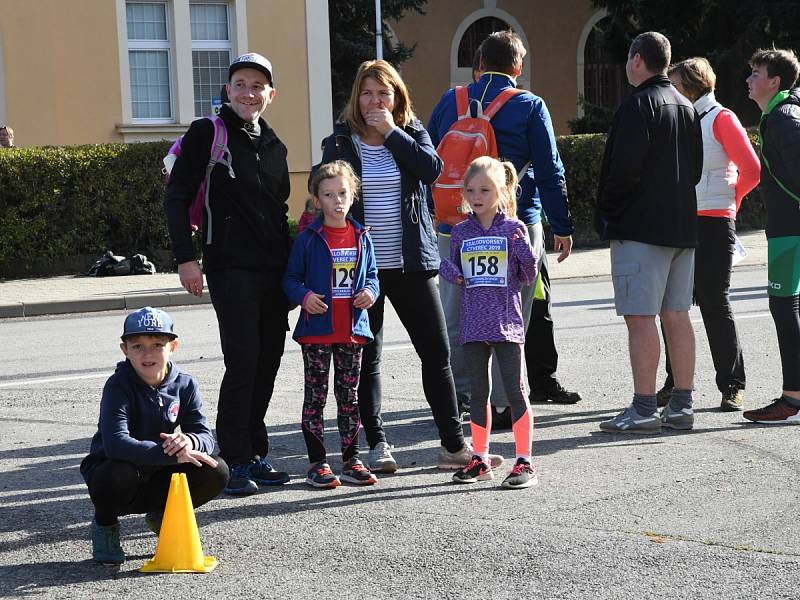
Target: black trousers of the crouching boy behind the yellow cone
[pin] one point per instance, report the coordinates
(121, 488)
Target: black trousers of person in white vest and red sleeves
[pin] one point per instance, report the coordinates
(712, 280)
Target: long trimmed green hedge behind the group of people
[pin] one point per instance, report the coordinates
(57, 204)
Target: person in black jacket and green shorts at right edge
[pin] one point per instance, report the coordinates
(774, 74)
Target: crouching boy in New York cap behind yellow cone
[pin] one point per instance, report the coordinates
(138, 446)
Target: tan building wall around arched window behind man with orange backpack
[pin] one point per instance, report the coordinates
(552, 30)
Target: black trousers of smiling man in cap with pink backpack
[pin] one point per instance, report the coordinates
(252, 313)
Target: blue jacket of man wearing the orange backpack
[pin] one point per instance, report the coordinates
(524, 132)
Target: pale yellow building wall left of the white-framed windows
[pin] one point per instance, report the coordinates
(61, 71)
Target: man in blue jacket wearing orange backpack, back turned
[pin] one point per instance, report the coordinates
(524, 134)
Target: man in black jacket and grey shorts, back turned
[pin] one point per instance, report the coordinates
(647, 207)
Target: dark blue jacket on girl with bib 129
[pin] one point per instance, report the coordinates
(309, 270)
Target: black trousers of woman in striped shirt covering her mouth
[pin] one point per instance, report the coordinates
(415, 298)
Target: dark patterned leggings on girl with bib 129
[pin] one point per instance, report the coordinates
(346, 370)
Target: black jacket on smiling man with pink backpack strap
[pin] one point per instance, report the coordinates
(249, 223)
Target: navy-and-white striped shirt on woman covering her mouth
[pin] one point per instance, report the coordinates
(380, 192)
